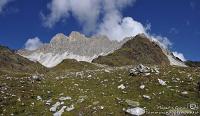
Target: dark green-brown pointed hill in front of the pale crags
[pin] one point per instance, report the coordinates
(135, 51)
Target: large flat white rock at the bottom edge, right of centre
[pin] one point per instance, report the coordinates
(136, 111)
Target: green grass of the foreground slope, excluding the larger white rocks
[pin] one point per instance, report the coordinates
(102, 87)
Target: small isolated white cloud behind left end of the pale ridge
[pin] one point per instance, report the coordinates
(33, 44)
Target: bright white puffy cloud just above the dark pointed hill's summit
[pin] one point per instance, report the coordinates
(117, 29)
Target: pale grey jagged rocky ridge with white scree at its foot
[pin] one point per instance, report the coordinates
(75, 46)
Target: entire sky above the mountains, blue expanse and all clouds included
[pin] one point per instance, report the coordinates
(30, 23)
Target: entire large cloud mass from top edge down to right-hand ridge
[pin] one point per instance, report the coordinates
(100, 17)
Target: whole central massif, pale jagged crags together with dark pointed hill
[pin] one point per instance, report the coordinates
(99, 49)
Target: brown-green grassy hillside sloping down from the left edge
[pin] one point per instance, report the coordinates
(10, 61)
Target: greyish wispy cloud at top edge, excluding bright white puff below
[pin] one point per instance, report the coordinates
(86, 12)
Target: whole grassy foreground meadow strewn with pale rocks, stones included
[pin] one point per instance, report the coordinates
(103, 90)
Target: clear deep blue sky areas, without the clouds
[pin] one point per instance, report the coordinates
(178, 20)
